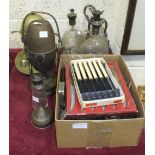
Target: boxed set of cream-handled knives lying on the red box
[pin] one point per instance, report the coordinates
(94, 83)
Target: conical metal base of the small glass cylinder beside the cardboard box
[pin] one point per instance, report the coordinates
(42, 117)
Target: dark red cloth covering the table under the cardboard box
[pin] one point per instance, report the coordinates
(27, 140)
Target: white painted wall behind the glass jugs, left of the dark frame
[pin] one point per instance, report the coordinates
(115, 13)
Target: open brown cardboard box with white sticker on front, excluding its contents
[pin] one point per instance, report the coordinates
(100, 133)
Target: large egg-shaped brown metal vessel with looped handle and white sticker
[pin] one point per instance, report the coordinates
(39, 44)
